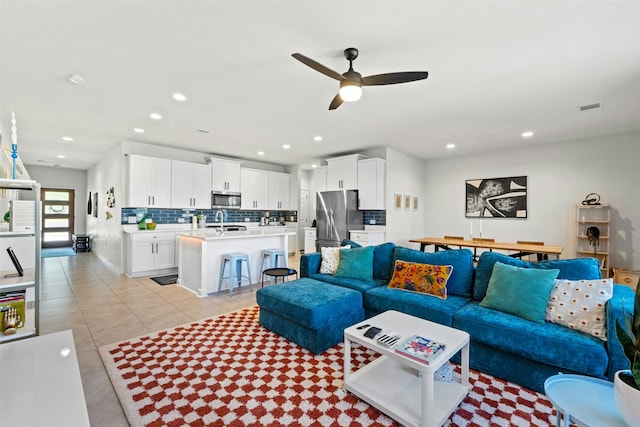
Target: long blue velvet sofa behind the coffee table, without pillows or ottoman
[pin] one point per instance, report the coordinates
(502, 344)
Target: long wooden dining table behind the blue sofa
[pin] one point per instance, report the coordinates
(519, 249)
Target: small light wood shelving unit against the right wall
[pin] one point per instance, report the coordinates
(594, 216)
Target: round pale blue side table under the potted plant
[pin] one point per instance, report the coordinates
(582, 400)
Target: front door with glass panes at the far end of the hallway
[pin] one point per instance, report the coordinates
(57, 217)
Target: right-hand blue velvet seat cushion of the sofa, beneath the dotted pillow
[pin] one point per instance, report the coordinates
(547, 343)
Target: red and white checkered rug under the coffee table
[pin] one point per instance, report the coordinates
(229, 370)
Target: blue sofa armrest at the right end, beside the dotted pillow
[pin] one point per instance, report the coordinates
(622, 296)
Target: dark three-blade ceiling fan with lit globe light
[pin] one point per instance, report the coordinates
(351, 82)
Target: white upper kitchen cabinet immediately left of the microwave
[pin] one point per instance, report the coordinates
(190, 185)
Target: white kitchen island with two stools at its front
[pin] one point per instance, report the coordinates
(200, 254)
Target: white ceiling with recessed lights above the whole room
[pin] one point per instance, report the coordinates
(495, 70)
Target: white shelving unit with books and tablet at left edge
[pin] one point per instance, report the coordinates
(26, 245)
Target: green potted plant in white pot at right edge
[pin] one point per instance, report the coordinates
(627, 382)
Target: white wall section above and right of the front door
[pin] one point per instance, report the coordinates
(63, 178)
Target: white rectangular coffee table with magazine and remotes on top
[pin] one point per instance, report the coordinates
(400, 387)
